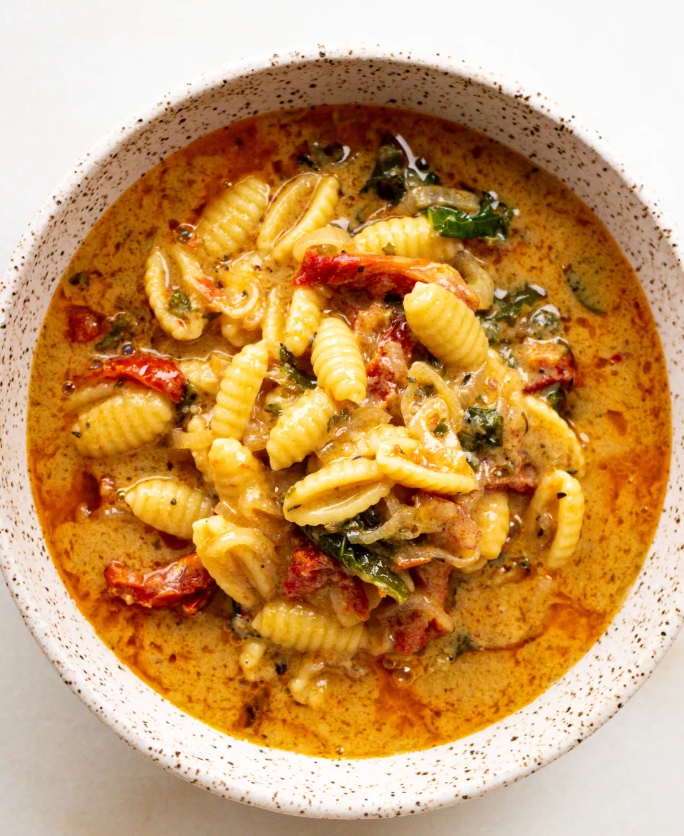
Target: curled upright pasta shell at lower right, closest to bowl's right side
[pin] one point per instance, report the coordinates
(560, 496)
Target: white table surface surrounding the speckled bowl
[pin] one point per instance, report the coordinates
(69, 71)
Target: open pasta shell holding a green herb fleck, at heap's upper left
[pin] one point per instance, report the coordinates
(159, 292)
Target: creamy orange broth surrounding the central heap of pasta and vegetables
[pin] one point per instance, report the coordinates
(621, 412)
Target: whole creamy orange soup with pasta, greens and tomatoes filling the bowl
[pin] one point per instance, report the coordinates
(348, 430)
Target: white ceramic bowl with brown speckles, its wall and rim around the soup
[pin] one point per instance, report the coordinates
(573, 707)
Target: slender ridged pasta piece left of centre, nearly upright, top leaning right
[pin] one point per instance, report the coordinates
(238, 391)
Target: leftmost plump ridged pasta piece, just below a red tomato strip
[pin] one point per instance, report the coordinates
(132, 417)
